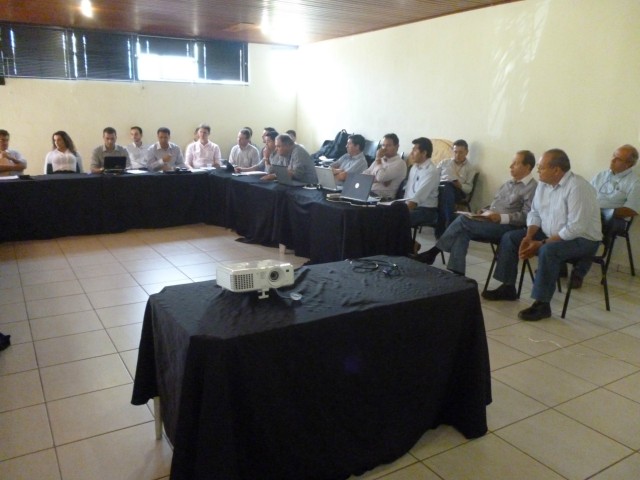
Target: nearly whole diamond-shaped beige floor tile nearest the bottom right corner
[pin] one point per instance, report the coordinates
(566, 446)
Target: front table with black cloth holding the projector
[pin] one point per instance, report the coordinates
(346, 379)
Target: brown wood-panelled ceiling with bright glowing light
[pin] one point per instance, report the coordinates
(290, 22)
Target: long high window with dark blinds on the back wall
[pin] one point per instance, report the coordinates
(45, 52)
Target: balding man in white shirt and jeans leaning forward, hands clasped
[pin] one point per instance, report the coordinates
(564, 223)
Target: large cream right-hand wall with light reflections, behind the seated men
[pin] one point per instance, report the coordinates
(534, 75)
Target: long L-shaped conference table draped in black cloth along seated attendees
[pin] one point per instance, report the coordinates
(51, 206)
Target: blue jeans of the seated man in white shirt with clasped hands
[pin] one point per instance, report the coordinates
(550, 258)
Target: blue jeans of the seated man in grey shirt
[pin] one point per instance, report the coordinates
(457, 236)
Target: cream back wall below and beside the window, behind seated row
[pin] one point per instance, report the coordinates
(31, 110)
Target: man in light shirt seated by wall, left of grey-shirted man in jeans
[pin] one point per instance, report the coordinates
(456, 178)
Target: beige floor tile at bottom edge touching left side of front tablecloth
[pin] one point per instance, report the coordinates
(130, 453)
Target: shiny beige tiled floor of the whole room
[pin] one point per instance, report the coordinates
(566, 392)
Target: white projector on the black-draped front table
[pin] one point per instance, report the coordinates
(258, 276)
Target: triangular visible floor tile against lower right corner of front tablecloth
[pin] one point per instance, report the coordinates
(509, 406)
